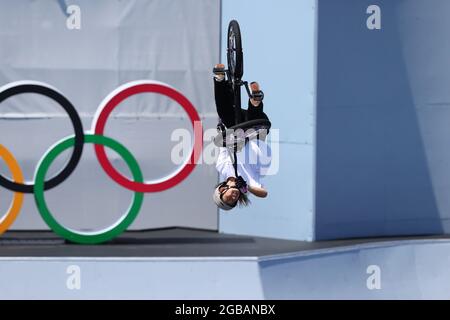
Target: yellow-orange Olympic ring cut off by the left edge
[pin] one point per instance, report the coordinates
(17, 176)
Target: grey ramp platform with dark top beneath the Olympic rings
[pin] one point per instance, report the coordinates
(195, 264)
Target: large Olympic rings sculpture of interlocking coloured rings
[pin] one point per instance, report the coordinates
(77, 141)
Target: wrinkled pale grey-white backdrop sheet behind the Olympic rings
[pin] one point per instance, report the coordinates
(86, 49)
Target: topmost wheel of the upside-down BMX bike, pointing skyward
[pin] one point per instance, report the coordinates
(234, 51)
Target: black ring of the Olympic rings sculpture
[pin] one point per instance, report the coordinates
(41, 88)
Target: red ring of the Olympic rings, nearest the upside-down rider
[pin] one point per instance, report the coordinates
(147, 86)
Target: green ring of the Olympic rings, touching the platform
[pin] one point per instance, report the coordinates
(87, 237)
